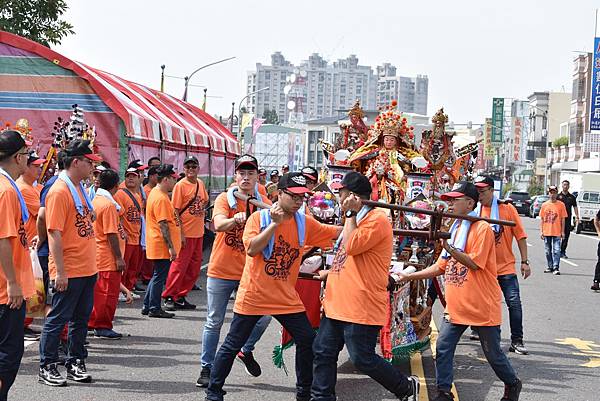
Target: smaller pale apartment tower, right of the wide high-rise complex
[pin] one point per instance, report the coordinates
(410, 92)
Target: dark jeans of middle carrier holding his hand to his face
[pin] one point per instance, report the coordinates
(361, 341)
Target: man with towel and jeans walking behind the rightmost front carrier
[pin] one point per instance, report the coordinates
(505, 259)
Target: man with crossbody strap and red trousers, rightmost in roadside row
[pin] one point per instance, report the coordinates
(189, 200)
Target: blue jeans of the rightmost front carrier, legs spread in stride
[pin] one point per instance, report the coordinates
(489, 336)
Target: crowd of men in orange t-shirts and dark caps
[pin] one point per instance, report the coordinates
(100, 243)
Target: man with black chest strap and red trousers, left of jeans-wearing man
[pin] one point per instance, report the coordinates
(128, 197)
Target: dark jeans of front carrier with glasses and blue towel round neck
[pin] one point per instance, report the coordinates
(239, 332)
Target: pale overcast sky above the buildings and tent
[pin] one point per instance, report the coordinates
(471, 50)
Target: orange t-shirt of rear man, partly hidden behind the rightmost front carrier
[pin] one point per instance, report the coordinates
(505, 259)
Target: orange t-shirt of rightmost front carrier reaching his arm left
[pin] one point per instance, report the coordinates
(473, 297)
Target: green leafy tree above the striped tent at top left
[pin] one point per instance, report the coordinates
(38, 20)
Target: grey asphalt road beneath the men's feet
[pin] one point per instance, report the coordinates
(160, 358)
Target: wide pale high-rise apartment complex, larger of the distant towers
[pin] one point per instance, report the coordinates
(313, 89)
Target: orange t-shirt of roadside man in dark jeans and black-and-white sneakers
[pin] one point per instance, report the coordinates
(77, 231)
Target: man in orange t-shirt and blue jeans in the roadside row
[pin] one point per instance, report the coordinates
(163, 239)
